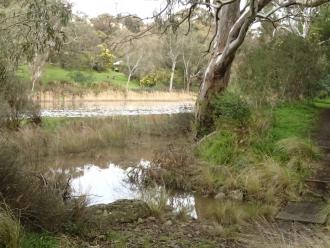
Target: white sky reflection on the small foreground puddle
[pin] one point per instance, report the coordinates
(106, 185)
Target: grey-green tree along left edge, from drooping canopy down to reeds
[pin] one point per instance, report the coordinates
(26, 29)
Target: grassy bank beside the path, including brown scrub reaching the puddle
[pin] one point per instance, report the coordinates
(252, 167)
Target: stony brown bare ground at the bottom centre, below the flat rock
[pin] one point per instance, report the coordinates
(164, 232)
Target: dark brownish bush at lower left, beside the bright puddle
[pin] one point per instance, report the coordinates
(42, 202)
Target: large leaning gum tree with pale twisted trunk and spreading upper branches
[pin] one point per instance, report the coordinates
(232, 20)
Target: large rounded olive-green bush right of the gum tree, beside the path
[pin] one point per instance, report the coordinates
(285, 69)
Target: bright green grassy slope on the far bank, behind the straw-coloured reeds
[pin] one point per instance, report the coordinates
(55, 73)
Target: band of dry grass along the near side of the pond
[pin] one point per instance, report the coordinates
(87, 135)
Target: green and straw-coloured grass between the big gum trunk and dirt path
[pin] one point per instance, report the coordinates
(268, 158)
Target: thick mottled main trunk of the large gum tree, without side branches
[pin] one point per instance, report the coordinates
(217, 73)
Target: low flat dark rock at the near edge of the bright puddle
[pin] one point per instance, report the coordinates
(102, 216)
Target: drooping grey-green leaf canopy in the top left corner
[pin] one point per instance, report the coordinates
(28, 27)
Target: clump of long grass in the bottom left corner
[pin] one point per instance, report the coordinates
(10, 229)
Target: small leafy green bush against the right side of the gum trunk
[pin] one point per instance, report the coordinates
(230, 107)
